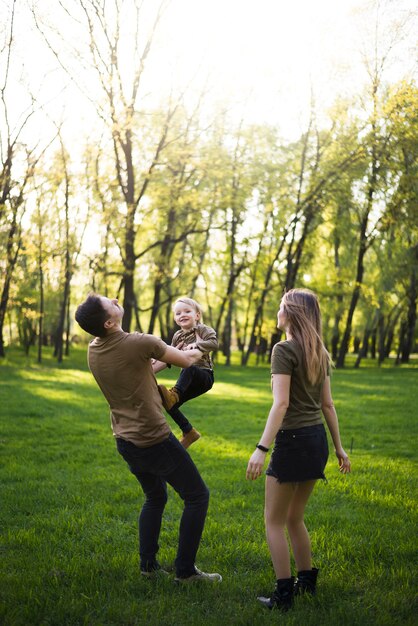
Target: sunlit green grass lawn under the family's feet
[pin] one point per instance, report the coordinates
(69, 505)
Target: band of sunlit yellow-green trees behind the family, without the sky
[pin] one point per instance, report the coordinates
(230, 214)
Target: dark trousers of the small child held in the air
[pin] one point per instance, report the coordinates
(193, 382)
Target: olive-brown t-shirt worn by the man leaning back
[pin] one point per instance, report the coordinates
(121, 365)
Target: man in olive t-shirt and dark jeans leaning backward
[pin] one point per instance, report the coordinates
(121, 364)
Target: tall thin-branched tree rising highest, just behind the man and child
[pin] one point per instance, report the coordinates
(107, 29)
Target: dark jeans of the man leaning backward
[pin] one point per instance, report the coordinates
(167, 462)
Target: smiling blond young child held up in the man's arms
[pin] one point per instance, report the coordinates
(195, 380)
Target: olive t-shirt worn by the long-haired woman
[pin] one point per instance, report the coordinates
(304, 398)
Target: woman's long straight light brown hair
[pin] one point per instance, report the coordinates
(301, 308)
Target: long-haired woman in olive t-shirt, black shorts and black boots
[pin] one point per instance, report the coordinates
(301, 389)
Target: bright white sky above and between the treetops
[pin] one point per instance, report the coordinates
(264, 56)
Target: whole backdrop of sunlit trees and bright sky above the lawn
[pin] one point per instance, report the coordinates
(246, 171)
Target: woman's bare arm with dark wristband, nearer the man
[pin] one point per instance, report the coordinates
(280, 386)
